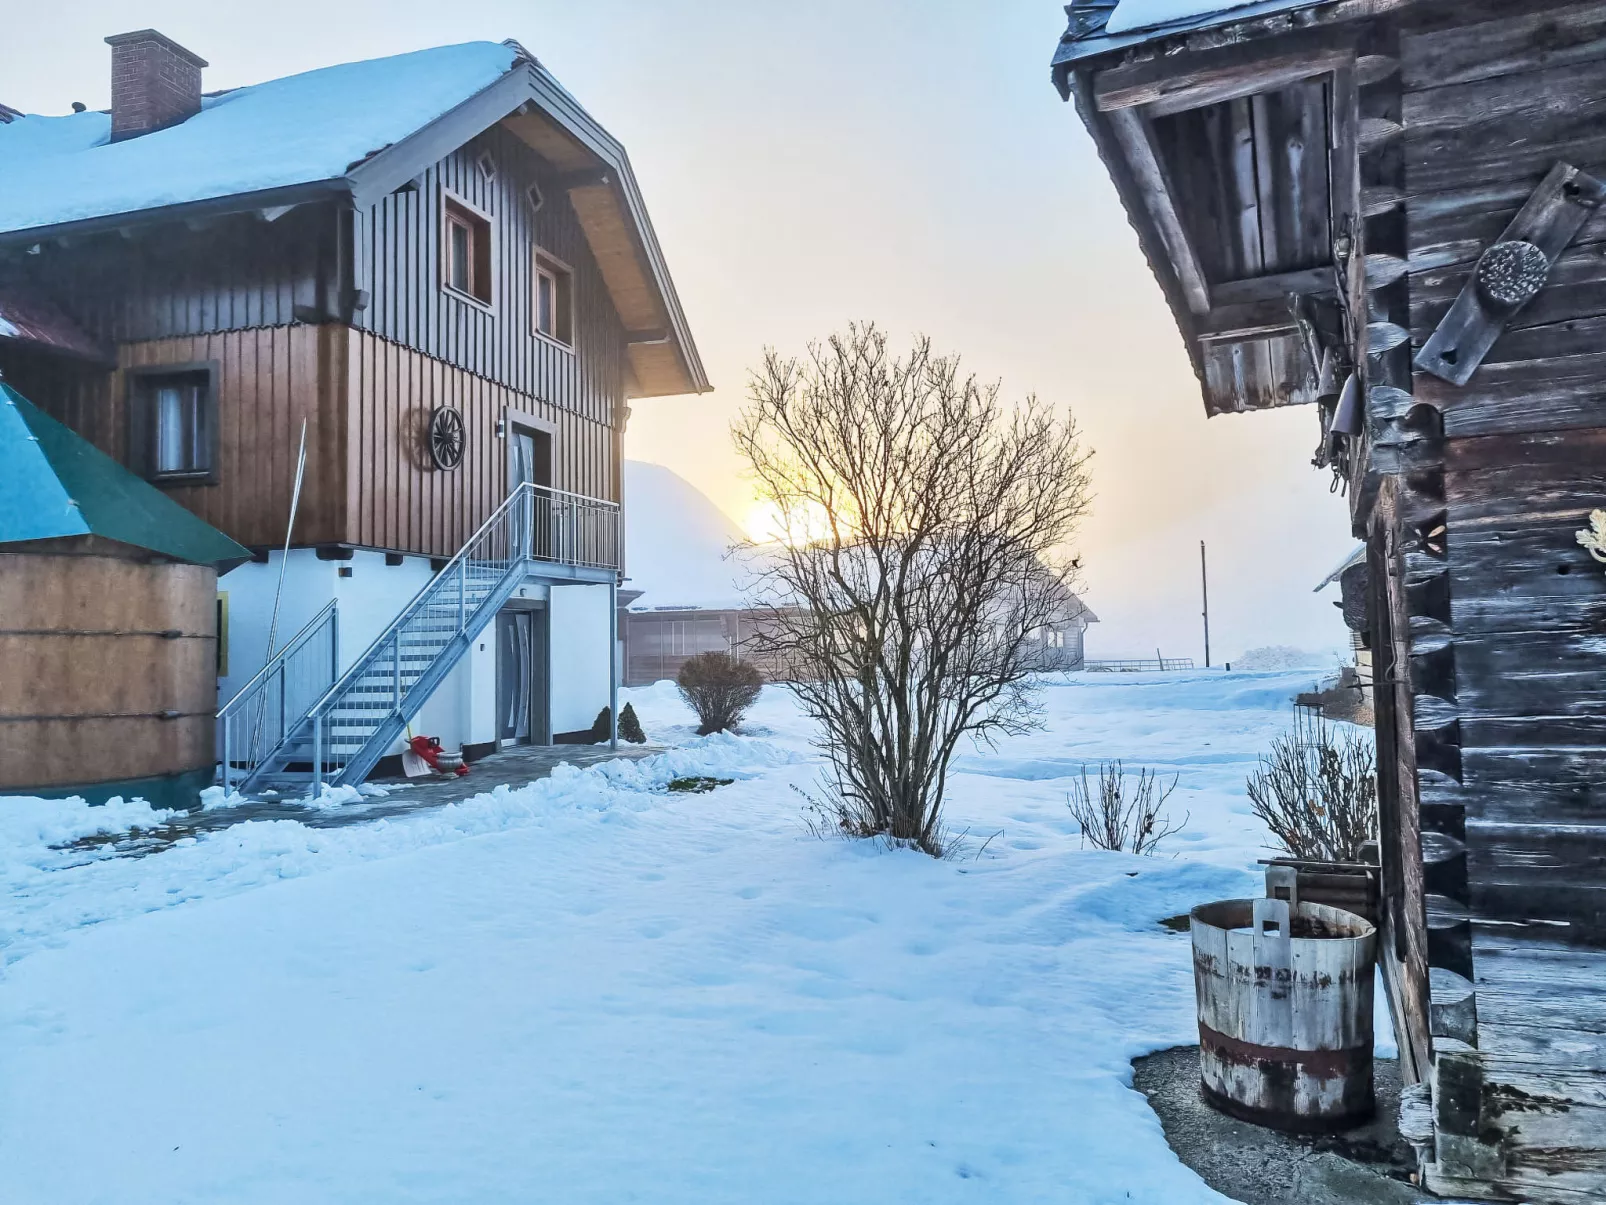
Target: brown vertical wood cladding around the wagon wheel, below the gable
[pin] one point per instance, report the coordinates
(394, 496)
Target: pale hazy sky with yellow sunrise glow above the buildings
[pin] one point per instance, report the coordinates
(902, 161)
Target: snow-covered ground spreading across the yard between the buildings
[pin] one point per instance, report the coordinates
(593, 991)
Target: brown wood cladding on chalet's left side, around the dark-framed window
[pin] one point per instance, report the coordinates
(269, 382)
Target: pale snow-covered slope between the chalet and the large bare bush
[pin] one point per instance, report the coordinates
(675, 542)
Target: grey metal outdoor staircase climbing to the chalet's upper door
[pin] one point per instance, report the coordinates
(343, 733)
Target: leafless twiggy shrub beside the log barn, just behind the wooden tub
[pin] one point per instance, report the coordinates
(1316, 791)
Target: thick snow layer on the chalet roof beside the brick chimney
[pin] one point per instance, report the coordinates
(287, 133)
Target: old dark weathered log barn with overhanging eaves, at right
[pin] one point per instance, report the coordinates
(1390, 211)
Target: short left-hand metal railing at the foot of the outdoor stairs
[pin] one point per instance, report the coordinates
(258, 722)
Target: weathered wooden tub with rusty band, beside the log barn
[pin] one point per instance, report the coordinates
(1286, 1013)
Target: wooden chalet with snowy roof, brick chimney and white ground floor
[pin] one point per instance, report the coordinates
(442, 269)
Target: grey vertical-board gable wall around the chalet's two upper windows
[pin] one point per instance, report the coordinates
(402, 259)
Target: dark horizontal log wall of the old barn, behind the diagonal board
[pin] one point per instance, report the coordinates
(1494, 96)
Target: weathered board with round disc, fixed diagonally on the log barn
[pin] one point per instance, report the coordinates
(1510, 274)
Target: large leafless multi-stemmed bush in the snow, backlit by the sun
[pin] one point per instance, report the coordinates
(921, 557)
